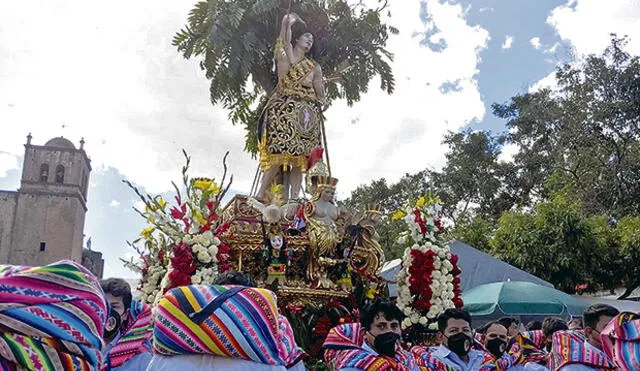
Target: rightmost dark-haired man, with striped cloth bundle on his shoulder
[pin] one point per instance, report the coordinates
(582, 350)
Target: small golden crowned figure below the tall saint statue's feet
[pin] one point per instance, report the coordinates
(321, 215)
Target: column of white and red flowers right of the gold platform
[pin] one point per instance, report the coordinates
(428, 282)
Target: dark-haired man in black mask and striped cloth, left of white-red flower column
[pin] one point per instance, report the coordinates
(372, 344)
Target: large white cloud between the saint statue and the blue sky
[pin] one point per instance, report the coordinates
(402, 133)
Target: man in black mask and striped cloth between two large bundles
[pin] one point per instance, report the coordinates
(128, 331)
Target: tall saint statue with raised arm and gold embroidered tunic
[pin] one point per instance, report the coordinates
(290, 126)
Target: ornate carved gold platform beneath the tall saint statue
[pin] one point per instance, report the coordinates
(308, 273)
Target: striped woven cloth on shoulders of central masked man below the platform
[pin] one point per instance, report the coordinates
(343, 349)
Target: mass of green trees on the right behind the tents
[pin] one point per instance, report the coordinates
(567, 206)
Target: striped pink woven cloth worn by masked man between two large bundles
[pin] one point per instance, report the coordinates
(135, 338)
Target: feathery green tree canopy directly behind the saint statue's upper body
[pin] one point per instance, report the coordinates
(234, 40)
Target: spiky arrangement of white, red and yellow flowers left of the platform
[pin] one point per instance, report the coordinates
(180, 246)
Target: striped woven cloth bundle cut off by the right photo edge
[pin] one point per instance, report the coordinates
(621, 341)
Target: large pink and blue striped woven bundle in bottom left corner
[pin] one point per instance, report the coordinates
(51, 317)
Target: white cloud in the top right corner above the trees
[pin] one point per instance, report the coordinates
(587, 24)
